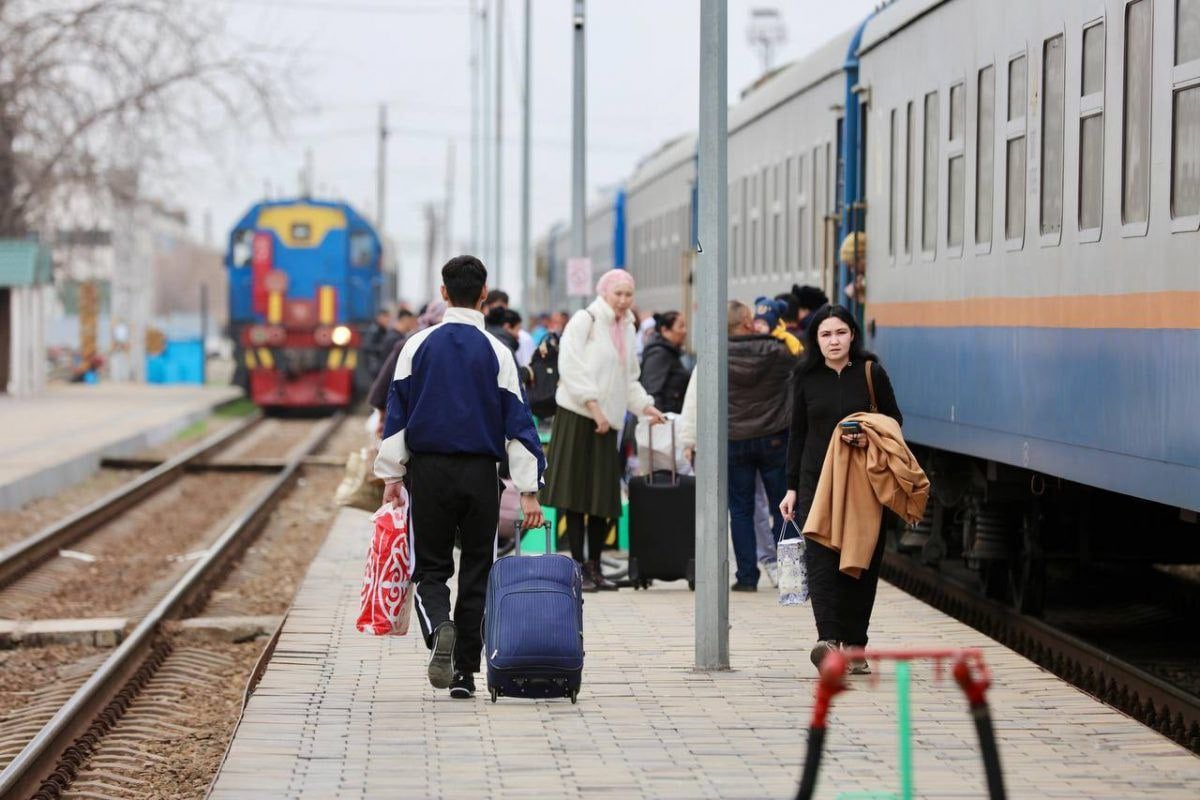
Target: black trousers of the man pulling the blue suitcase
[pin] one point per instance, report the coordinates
(454, 496)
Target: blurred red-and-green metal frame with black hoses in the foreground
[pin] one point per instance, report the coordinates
(970, 673)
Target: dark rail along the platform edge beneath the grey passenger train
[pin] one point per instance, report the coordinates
(1154, 702)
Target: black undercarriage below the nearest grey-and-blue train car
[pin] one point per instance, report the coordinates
(1022, 531)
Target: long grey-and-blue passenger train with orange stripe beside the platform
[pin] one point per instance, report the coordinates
(1028, 177)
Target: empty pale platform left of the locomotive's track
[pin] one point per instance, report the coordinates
(58, 440)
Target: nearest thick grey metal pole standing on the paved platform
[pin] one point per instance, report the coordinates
(712, 346)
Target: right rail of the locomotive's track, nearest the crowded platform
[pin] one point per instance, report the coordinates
(50, 762)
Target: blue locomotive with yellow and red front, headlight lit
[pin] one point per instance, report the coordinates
(304, 285)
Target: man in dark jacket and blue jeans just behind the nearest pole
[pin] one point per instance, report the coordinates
(760, 417)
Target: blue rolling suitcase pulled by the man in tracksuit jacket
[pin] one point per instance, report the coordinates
(533, 625)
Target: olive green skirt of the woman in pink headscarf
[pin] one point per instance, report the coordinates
(584, 471)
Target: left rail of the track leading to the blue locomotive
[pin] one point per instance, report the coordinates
(22, 557)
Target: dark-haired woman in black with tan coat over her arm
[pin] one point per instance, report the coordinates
(830, 387)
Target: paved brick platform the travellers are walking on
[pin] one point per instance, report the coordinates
(344, 715)
